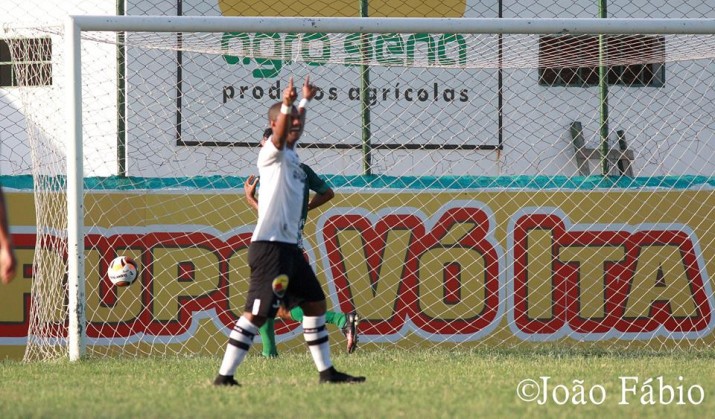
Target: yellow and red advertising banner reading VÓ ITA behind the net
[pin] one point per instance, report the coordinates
(461, 267)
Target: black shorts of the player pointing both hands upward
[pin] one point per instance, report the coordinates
(280, 275)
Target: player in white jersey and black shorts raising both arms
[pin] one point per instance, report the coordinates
(279, 272)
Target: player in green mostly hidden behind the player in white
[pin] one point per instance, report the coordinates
(323, 193)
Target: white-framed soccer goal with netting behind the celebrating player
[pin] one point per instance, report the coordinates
(498, 182)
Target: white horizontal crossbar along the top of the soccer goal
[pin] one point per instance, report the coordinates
(574, 26)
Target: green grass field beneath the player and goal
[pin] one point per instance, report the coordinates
(430, 383)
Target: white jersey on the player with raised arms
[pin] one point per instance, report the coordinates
(282, 189)
